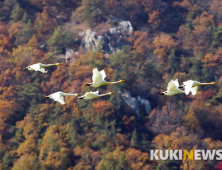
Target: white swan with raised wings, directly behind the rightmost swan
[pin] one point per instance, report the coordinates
(172, 88)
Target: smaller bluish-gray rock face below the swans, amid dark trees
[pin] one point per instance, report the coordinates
(135, 102)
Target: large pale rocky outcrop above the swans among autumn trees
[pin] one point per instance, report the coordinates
(110, 40)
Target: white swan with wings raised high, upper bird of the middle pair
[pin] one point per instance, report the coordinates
(98, 79)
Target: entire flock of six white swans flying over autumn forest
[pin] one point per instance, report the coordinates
(99, 80)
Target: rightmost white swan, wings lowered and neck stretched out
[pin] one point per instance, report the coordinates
(192, 86)
